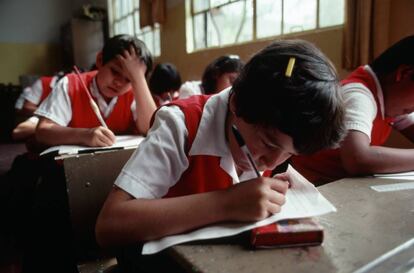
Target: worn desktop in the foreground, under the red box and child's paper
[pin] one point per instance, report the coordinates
(367, 224)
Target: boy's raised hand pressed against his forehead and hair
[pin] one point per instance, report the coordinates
(132, 64)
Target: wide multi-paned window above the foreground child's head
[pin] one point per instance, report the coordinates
(213, 23)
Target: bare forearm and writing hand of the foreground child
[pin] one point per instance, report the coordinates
(124, 219)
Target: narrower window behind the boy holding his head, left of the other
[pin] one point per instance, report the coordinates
(124, 19)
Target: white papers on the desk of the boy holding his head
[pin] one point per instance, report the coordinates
(125, 141)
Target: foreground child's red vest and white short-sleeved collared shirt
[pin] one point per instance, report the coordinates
(185, 151)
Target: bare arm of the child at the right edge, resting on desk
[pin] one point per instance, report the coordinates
(360, 158)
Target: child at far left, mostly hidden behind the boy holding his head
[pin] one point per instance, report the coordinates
(27, 104)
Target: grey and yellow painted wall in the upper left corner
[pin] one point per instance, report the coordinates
(29, 37)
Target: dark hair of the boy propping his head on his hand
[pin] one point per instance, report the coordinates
(117, 44)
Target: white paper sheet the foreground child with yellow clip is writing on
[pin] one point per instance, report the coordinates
(302, 200)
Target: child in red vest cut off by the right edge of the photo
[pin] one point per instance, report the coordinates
(379, 97)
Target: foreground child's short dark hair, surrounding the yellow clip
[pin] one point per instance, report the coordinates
(307, 106)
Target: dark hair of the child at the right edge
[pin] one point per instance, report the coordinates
(400, 53)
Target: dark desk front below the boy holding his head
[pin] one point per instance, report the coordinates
(89, 179)
